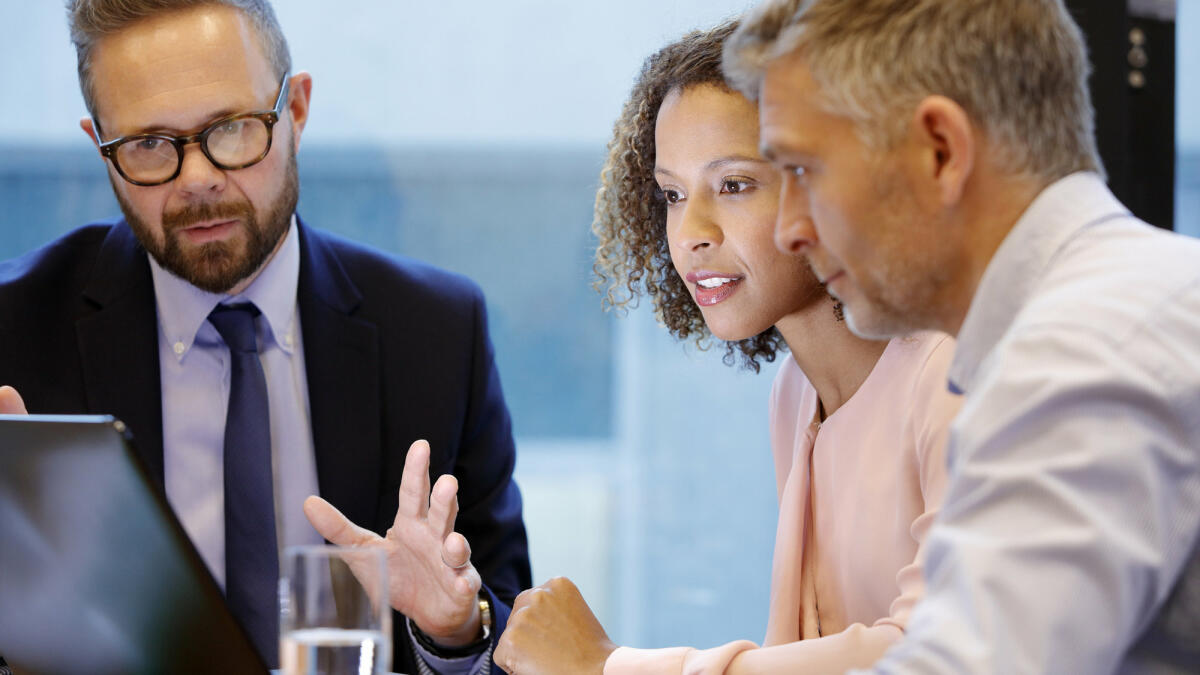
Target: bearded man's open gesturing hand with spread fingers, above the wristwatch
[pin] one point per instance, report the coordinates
(430, 576)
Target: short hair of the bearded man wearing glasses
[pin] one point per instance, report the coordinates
(91, 21)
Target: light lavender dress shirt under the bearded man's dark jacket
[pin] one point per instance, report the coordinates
(195, 371)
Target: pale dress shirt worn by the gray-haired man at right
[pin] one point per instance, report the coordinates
(1069, 539)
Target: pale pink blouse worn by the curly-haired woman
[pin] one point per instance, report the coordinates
(857, 495)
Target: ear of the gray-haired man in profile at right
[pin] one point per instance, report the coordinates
(946, 141)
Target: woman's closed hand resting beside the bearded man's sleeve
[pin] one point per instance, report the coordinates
(553, 630)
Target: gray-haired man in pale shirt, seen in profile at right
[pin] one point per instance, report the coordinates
(941, 174)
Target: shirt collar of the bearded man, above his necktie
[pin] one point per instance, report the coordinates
(183, 308)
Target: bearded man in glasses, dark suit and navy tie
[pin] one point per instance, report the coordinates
(197, 117)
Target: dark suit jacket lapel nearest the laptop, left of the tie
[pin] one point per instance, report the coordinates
(119, 344)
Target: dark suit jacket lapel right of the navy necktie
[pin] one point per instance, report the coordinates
(343, 365)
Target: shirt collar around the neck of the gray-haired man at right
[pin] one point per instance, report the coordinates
(1055, 217)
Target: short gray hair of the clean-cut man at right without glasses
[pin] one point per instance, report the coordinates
(1018, 68)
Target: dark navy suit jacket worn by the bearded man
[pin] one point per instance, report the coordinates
(395, 351)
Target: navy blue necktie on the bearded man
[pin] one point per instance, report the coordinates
(253, 559)
